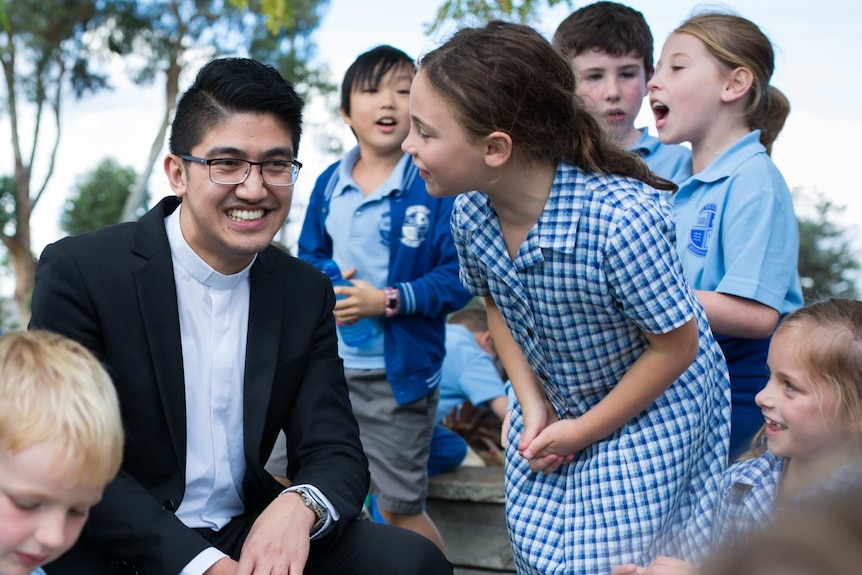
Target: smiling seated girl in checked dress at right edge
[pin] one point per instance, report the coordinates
(811, 443)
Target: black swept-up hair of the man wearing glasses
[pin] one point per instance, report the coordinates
(228, 86)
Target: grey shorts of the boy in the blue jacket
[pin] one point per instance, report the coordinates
(396, 439)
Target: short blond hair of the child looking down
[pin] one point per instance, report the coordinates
(54, 391)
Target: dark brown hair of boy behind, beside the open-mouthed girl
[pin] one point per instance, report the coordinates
(609, 27)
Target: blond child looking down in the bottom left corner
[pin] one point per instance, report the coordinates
(61, 442)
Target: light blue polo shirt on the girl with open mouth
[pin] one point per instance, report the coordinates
(736, 229)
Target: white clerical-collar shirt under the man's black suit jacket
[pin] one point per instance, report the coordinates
(213, 310)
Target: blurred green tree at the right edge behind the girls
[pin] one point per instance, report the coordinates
(826, 260)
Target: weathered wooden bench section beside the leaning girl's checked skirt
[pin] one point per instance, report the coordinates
(468, 507)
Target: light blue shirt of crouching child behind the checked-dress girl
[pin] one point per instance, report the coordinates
(468, 372)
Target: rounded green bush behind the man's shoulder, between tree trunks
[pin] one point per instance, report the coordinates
(99, 198)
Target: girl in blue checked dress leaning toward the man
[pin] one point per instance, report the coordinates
(622, 411)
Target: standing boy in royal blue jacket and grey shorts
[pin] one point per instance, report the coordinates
(371, 214)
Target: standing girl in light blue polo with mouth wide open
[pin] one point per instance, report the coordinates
(737, 234)
